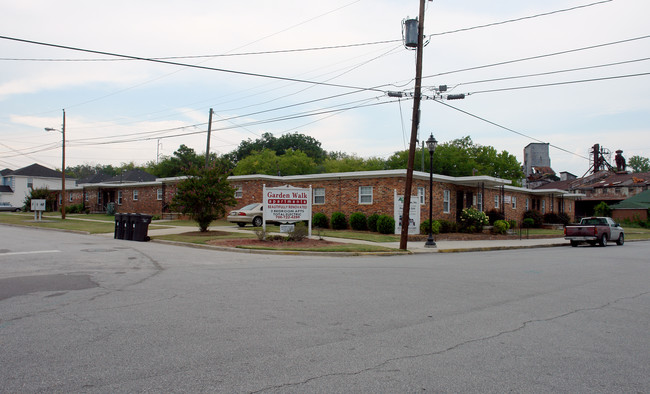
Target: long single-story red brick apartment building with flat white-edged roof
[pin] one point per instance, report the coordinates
(368, 192)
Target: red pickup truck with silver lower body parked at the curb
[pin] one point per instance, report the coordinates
(595, 230)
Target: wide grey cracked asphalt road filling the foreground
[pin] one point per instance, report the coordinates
(88, 314)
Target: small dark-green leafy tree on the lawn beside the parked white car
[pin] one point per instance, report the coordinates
(204, 194)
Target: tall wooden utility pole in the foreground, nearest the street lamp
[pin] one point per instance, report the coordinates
(414, 130)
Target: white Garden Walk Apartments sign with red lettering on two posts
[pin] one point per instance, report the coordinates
(286, 204)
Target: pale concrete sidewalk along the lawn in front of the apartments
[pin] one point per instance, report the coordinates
(412, 246)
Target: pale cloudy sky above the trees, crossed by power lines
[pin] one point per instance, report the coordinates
(323, 69)
